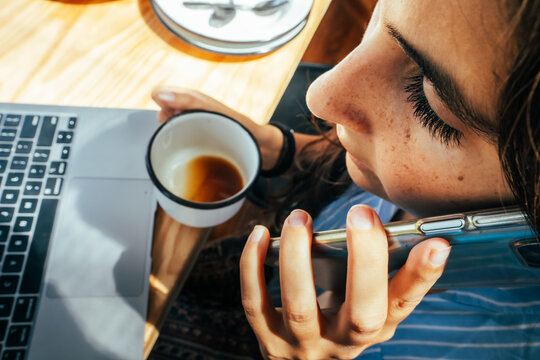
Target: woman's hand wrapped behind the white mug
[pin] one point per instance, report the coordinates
(175, 100)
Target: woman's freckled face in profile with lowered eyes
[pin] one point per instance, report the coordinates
(405, 100)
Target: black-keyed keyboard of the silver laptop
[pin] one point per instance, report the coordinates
(34, 155)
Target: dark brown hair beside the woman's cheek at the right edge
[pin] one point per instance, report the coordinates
(519, 109)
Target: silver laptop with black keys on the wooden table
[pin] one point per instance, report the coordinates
(76, 225)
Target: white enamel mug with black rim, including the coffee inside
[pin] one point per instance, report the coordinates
(202, 165)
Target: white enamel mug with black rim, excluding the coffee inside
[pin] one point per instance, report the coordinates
(200, 133)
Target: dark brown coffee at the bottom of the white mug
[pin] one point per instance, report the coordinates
(209, 179)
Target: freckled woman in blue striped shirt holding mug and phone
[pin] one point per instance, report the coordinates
(438, 110)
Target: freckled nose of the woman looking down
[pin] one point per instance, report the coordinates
(359, 89)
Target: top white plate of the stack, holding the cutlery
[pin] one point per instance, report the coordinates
(245, 26)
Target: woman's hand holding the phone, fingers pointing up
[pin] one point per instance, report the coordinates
(373, 306)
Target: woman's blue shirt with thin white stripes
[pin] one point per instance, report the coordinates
(487, 323)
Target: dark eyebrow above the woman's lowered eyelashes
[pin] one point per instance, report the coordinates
(445, 87)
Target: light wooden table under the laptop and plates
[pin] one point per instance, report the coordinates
(111, 53)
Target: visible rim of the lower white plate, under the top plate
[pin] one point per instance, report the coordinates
(228, 48)
